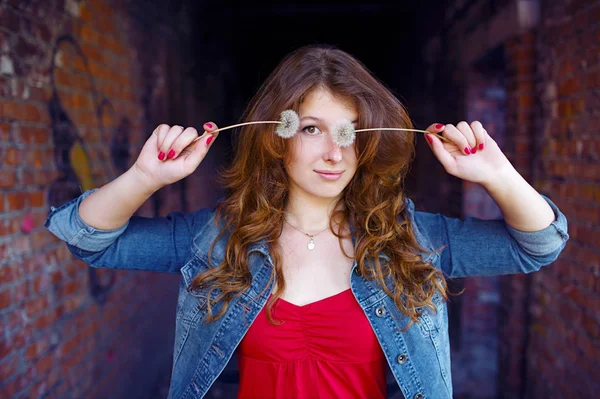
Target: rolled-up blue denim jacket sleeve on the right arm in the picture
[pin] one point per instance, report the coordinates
(476, 247)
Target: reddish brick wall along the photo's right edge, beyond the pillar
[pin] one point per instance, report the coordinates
(564, 331)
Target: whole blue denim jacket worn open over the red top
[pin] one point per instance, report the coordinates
(419, 358)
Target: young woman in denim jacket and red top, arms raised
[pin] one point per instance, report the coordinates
(316, 268)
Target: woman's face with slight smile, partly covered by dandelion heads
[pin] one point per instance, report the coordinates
(319, 167)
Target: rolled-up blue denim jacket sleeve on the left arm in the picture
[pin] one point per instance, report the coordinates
(160, 244)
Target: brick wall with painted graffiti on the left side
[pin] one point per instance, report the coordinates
(82, 85)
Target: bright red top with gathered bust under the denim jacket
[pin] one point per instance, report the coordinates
(325, 349)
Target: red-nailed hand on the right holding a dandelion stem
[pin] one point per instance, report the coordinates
(470, 154)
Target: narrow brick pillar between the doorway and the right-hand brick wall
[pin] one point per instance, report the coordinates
(521, 64)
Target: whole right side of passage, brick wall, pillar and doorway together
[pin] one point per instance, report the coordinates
(548, 322)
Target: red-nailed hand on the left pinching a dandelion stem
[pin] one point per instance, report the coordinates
(169, 155)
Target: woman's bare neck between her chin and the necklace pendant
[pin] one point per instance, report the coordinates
(309, 214)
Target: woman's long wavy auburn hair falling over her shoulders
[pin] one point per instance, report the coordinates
(258, 186)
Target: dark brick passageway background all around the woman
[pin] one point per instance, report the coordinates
(84, 83)
